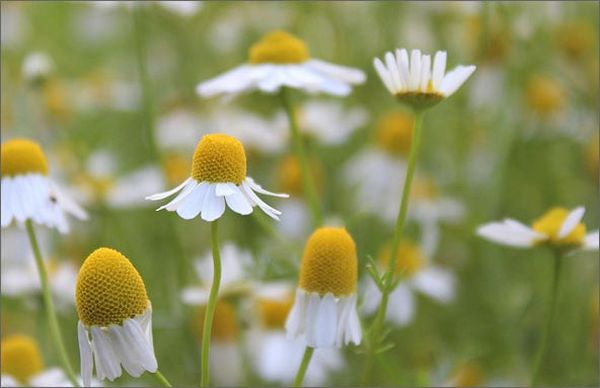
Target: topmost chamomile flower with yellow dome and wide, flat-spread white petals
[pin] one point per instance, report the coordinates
(279, 60)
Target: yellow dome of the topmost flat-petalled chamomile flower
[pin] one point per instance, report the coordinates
(279, 47)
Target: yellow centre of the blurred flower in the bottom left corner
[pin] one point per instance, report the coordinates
(21, 358)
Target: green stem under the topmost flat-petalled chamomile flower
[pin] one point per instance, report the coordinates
(307, 181)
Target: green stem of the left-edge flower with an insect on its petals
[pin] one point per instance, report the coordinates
(50, 312)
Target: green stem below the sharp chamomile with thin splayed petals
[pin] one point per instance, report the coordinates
(211, 305)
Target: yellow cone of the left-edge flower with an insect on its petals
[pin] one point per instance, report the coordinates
(22, 156)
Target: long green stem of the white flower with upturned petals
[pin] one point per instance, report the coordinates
(389, 275)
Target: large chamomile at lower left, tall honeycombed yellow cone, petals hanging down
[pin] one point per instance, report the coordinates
(115, 318)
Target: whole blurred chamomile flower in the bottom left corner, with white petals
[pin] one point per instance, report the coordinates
(22, 365)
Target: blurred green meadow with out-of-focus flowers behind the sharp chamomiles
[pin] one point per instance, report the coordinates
(108, 89)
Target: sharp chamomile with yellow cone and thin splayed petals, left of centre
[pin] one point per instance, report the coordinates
(218, 177)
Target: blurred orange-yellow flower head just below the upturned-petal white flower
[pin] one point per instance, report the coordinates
(394, 132)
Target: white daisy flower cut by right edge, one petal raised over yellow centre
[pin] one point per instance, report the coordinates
(558, 228)
